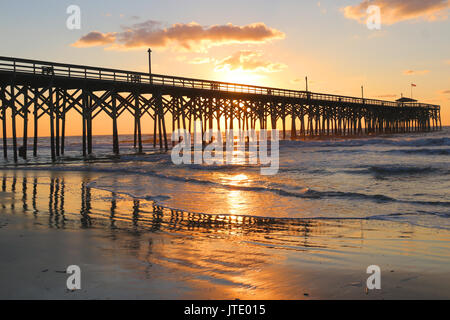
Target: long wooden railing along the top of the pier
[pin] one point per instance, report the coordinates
(16, 65)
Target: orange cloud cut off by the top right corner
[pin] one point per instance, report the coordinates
(393, 11)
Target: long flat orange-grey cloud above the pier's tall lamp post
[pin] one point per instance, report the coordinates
(191, 36)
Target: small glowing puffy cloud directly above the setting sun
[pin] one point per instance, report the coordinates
(248, 60)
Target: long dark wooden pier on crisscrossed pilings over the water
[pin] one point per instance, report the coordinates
(32, 90)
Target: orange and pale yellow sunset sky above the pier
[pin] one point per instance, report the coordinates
(254, 42)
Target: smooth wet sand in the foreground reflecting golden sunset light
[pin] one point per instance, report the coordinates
(131, 249)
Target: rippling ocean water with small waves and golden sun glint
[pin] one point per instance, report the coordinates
(402, 177)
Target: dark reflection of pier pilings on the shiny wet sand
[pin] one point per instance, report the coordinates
(146, 217)
